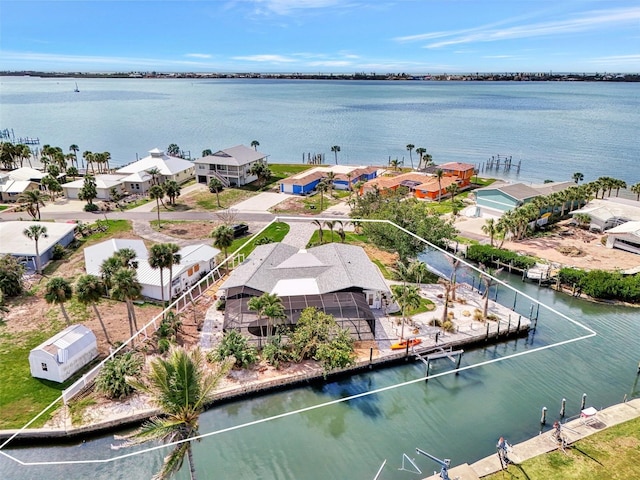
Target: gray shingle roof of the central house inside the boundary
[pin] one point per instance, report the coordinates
(334, 267)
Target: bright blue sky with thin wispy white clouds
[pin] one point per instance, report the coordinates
(313, 36)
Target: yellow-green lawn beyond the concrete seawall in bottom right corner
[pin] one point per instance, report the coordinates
(612, 453)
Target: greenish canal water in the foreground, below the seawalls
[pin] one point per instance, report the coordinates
(452, 416)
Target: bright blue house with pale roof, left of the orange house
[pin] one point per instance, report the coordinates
(345, 178)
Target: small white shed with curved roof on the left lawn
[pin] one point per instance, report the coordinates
(64, 354)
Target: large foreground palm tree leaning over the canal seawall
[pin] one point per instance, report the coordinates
(180, 386)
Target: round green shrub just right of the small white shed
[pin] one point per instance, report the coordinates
(112, 379)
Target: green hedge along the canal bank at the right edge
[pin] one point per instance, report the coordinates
(602, 284)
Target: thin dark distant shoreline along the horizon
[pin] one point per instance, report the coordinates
(477, 77)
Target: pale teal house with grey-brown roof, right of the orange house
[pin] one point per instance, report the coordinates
(502, 197)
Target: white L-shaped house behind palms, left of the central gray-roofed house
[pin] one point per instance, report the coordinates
(196, 261)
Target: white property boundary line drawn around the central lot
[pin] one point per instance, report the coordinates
(591, 333)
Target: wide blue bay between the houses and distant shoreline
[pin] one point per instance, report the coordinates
(553, 128)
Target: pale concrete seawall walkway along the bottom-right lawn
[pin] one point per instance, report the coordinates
(572, 430)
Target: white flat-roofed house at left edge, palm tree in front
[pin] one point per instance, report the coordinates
(15, 243)
